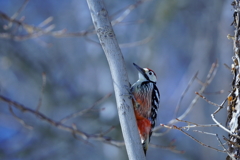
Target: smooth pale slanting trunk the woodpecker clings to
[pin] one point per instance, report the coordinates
(115, 59)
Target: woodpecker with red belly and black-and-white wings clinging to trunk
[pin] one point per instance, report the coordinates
(146, 98)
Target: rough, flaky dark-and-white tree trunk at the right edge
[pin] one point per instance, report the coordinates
(233, 121)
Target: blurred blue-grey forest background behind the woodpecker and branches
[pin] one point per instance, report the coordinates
(174, 38)
